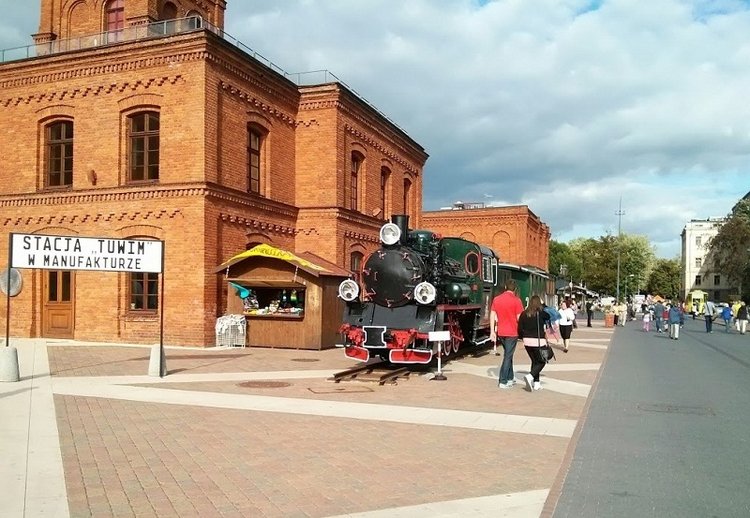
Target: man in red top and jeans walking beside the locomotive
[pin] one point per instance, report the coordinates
(506, 308)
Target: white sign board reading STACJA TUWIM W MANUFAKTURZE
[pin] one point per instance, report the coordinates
(86, 253)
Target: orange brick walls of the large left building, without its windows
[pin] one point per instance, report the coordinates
(206, 94)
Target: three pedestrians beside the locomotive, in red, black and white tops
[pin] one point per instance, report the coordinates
(510, 321)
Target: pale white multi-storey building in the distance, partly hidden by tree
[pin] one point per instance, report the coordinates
(698, 272)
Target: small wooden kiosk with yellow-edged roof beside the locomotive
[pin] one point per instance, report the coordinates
(289, 300)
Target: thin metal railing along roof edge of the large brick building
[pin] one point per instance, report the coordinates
(164, 29)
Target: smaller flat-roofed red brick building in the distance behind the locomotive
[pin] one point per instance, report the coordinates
(516, 233)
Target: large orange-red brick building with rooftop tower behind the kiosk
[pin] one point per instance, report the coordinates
(143, 120)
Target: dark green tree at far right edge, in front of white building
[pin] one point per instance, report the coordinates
(729, 250)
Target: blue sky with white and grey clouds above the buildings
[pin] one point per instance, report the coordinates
(567, 106)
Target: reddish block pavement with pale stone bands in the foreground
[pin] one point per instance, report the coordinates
(202, 441)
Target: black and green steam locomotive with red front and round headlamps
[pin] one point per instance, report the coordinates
(417, 282)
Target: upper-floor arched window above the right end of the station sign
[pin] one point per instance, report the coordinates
(143, 140)
